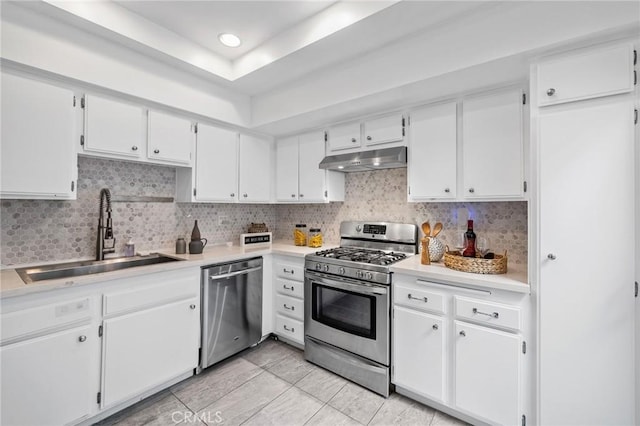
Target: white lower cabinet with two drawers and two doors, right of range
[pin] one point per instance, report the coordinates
(462, 350)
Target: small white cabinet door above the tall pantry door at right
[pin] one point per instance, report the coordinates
(584, 75)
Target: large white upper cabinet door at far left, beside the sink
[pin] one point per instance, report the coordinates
(38, 140)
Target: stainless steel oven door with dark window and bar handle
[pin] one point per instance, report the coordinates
(348, 314)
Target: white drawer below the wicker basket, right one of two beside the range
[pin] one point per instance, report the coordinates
(489, 313)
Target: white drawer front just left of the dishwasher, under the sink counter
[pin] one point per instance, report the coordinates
(153, 290)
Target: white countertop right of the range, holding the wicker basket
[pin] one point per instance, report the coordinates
(512, 281)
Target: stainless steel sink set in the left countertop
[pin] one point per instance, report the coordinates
(87, 267)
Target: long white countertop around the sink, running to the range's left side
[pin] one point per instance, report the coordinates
(11, 285)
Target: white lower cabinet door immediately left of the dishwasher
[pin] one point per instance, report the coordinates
(144, 349)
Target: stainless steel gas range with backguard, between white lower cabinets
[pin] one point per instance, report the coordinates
(347, 292)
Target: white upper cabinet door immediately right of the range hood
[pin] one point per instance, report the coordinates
(433, 153)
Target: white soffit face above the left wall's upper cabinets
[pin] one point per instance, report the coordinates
(33, 39)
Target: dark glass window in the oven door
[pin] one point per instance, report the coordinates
(344, 310)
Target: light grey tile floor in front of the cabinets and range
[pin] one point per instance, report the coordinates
(272, 384)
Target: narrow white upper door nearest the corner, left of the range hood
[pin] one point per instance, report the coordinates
(287, 169)
